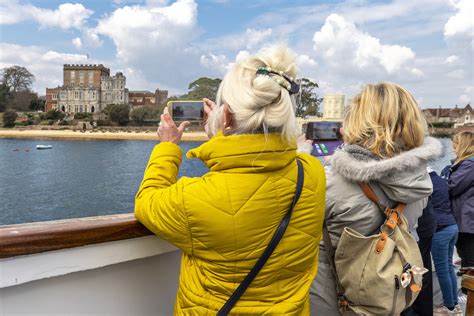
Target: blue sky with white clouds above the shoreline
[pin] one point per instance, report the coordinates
(425, 45)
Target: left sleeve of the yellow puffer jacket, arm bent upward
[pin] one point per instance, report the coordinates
(159, 201)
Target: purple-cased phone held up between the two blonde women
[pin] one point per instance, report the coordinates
(326, 137)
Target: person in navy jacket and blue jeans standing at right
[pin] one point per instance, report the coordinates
(442, 248)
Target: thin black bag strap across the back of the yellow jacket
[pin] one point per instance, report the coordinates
(268, 251)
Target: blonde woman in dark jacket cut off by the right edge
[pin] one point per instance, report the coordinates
(461, 194)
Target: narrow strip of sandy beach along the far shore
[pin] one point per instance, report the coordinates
(71, 134)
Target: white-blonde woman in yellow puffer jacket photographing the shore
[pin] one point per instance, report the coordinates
(224, 221)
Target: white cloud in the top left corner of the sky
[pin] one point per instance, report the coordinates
(66, 16)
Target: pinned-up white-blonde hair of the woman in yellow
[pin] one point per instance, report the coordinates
(258, 103)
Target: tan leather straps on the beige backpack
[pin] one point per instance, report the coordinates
(393, 216)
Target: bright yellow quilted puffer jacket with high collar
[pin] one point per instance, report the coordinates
(224, 220)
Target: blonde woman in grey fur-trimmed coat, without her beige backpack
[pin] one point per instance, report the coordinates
(386, 146)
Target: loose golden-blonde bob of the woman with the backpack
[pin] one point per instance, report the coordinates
(385, 119)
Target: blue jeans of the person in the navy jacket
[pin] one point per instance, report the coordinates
(442, 250)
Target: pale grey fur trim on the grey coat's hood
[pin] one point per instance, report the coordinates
(358, 164)
